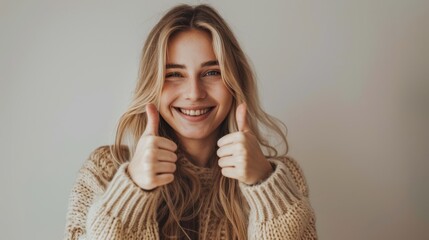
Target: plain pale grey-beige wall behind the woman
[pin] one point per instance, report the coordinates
(349, 79)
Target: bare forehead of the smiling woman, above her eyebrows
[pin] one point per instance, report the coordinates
(190, 45)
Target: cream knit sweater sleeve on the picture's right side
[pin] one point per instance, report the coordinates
(279, 206)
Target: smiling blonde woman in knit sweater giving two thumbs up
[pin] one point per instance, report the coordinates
(189, 160)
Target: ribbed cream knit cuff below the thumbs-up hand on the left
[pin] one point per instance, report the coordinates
(125, 200)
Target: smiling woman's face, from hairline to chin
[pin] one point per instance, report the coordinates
(194, 99)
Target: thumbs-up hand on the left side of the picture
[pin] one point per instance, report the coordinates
(154, 161)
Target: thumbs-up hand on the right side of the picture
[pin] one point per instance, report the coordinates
(240, 155)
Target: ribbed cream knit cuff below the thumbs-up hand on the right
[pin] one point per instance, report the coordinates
(273, 196)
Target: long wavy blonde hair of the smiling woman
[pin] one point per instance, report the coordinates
(179, 208)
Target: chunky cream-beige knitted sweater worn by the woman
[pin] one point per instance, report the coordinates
(105, 203)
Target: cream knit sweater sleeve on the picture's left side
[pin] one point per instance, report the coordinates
(106, 204)
